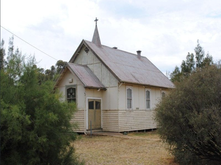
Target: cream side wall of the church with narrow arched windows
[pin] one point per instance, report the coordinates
(138, 117)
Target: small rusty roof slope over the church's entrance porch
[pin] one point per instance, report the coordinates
(86, 76)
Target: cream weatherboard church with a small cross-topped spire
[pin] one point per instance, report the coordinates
(114, 90)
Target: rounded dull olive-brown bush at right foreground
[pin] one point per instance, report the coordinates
(189, 118)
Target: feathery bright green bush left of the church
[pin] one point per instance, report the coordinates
(35, 125)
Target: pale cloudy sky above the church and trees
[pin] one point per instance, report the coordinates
(164, 30)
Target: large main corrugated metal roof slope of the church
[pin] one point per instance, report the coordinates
(127, 67)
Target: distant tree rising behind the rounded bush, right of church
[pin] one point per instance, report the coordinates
(192, 62)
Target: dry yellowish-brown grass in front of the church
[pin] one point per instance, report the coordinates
(131, 149)
